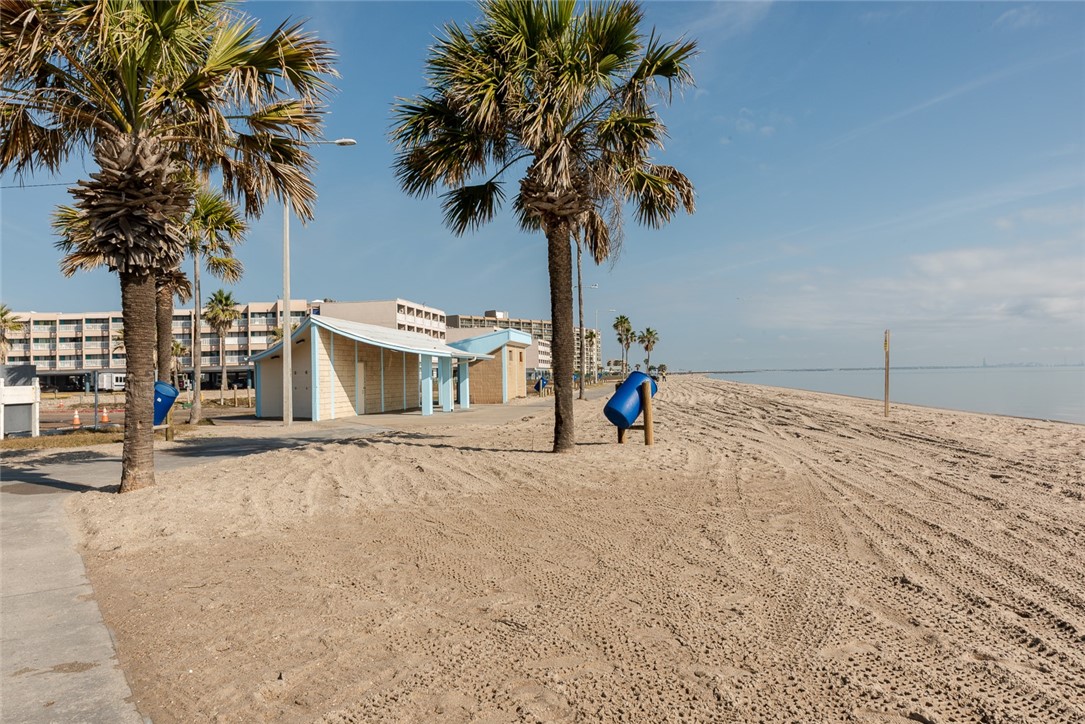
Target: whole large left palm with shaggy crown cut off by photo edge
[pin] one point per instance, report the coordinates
(155, 91)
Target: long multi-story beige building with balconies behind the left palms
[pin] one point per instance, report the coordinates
(66, 347)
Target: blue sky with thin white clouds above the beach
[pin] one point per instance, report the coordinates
(859, 167)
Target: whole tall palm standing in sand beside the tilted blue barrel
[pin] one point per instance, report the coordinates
(570, 100)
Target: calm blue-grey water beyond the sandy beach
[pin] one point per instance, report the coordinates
(1046, 393)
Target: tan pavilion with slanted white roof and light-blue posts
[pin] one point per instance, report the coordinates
(344, 369)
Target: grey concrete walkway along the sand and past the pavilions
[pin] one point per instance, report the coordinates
(58, 662)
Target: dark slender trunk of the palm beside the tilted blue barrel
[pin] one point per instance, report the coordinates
(560, 263)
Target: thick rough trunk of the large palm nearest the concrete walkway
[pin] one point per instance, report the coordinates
(138, 312)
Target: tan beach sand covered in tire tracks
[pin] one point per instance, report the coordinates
(776, 556)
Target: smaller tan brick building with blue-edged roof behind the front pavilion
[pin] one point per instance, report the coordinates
(501, 372)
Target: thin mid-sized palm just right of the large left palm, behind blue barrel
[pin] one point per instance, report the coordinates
(213, 227)
